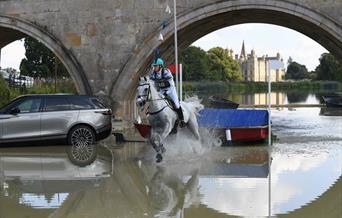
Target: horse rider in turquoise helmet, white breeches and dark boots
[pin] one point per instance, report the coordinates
(163, 81)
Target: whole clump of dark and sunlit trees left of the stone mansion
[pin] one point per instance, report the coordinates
(212, 65)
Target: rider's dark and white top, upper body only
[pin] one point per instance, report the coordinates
(163, 80)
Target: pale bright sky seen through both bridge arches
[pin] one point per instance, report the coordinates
(265, 39)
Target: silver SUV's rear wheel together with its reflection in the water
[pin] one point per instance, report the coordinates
(82, 151)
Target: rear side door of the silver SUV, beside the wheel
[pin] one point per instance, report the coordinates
(57, 117)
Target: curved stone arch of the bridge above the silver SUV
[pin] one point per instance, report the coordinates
(18, 28)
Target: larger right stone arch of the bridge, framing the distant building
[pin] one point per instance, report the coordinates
(200, 21)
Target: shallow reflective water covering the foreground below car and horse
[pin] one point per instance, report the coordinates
(194, 180)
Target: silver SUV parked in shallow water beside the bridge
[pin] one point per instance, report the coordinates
(77, 120)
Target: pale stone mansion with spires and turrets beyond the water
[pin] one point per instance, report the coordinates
(256, 68)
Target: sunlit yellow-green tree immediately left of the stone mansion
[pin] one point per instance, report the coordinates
(222, 66)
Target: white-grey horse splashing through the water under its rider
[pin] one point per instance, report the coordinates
(162, 117)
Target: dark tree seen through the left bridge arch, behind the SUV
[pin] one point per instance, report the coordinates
(40, 61)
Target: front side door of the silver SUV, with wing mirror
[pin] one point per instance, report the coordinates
(21, 121)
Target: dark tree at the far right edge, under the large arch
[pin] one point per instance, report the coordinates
(329, 68)
